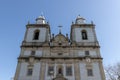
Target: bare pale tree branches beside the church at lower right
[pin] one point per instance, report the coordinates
(113, 72)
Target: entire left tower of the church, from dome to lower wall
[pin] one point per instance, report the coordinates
(36, 36)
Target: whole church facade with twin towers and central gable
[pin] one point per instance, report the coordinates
(57, 57)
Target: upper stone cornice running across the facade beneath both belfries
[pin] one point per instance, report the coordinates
(46, 44)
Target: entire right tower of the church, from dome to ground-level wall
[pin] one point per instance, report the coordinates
(83, 39)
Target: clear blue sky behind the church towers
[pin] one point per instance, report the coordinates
(15, 14)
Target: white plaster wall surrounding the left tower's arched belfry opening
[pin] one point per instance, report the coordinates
(30, 34)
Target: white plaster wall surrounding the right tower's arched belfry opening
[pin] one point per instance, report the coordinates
(78, 36)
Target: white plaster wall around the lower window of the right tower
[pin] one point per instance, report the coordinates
(96, 72)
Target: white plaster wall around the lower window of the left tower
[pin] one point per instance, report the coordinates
(23, 72)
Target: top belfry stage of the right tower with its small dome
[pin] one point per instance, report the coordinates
(83, 32)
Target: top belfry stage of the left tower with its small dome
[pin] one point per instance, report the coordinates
(39, 32)
